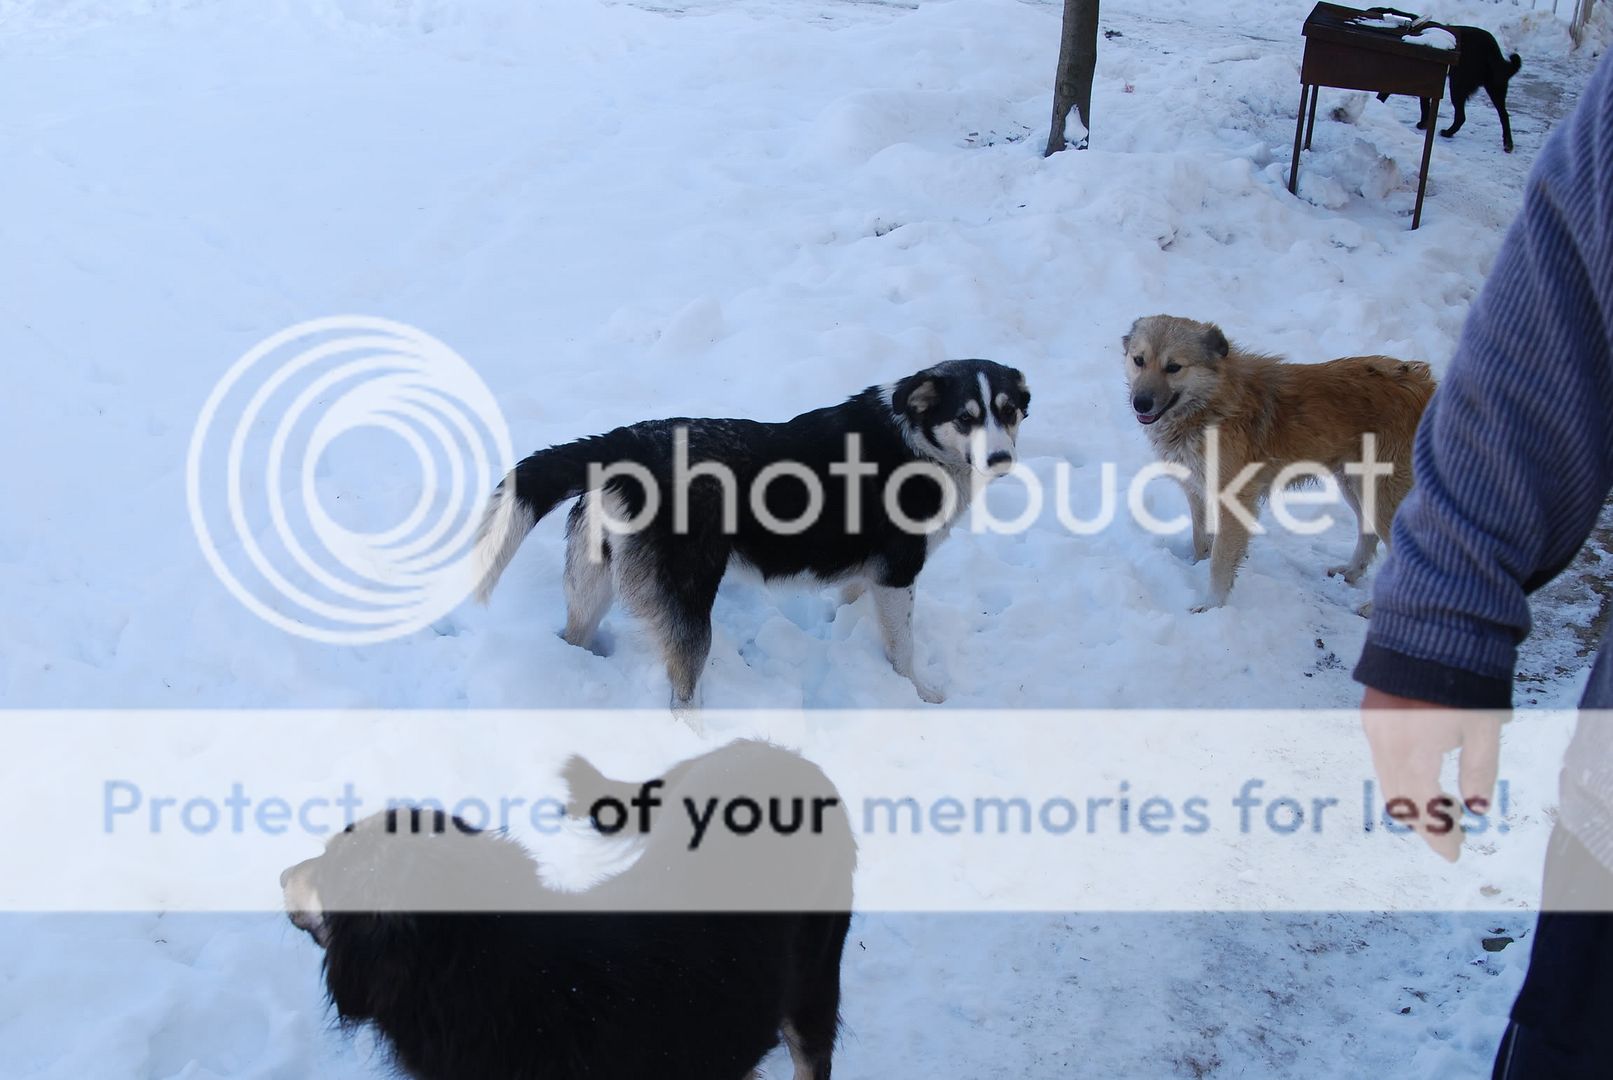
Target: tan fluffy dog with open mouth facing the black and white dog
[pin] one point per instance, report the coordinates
(1202, 399)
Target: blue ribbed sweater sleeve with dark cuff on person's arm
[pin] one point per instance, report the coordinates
(1514, 459)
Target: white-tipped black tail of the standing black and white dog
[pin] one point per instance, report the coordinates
(535, 488)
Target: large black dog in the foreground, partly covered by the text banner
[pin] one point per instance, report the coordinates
(688, 966)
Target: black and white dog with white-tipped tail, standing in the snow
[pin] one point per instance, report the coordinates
(857, 492)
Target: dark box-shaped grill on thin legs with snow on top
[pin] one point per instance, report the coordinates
(1343, 54)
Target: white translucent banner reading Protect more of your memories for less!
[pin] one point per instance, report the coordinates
(948, 810)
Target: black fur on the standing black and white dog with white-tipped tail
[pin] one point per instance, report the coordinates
(675, 568)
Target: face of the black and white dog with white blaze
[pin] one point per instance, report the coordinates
(965, 413)
